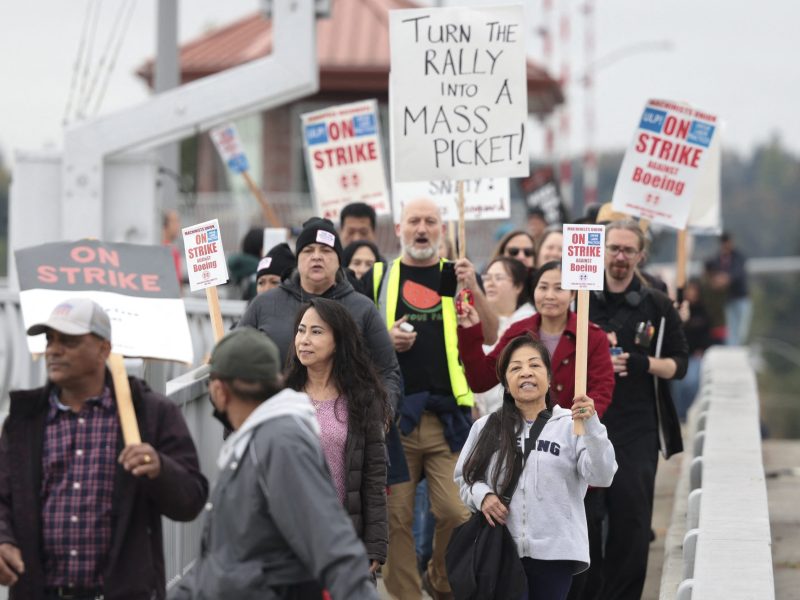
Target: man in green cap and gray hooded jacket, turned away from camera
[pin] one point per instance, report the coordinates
(274, 527)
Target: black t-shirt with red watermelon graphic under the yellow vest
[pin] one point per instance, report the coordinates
(424, 366)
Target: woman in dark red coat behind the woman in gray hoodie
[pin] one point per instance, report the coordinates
(554, 324)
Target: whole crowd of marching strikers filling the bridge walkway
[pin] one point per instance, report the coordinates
(380, 412)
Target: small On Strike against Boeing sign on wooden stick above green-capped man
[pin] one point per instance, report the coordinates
(205, 263)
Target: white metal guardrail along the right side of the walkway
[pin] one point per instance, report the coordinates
(719, 542)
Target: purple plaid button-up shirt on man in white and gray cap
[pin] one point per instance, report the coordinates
(78, 465)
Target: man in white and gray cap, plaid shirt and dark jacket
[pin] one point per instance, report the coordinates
(80, 517)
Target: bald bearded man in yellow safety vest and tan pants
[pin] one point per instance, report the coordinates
(435, 410)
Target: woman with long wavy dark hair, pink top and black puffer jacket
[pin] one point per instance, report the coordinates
(328, 361)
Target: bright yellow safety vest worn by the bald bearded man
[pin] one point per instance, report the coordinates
(386, 299)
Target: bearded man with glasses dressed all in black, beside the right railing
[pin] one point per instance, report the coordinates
(642, 322)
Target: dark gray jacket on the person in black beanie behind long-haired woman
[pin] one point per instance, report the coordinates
(274, 312)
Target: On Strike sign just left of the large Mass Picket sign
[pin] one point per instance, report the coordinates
(344, 158)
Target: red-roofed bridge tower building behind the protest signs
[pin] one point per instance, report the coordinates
(353, 56)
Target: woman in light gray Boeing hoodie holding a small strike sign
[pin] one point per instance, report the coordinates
(545, 516)
